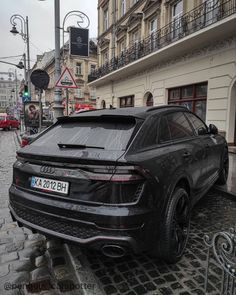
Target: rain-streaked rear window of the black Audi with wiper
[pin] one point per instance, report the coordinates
(110, 135)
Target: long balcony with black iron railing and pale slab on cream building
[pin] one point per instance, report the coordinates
(205, 24)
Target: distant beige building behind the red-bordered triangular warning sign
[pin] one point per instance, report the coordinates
(80, 67)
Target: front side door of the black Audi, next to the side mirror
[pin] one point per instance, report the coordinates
(211, 148)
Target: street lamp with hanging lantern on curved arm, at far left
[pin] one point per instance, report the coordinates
(24, 33)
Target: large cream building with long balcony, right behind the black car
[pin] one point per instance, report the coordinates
(154, 52)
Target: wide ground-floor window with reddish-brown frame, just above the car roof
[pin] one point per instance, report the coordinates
(193, 97)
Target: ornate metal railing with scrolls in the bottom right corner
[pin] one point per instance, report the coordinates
(223, 246)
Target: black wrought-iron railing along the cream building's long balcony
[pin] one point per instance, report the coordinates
(209, 12)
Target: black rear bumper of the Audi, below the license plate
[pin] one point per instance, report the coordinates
(44, 215)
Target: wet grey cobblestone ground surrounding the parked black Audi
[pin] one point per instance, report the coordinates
(65, 269)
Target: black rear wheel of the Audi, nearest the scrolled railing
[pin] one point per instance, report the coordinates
(174, 231)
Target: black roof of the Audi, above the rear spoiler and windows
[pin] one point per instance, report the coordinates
(136, 112)
